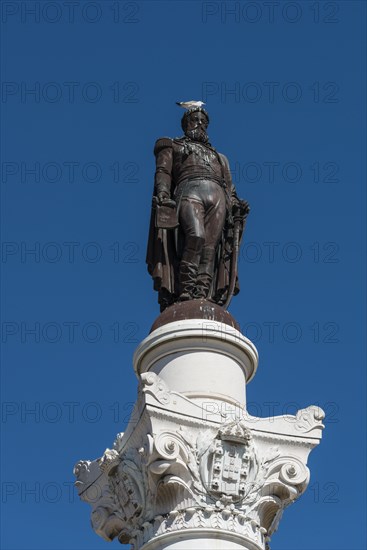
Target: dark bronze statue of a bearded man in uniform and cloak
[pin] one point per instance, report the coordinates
(194, 258)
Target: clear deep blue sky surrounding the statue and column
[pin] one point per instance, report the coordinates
(284, 87)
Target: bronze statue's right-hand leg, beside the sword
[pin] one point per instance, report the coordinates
(214, 220)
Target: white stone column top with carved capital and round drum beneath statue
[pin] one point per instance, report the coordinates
(193, 469)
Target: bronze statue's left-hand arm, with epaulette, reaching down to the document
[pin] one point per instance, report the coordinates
(164, 161)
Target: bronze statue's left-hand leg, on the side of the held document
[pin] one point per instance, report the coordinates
(192, 224)
